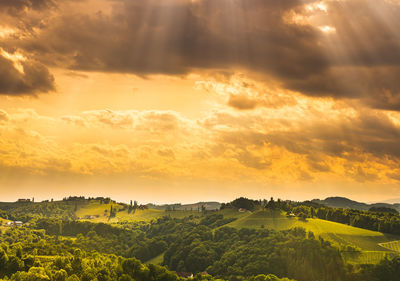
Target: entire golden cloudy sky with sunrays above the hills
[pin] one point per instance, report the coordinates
(200, 100)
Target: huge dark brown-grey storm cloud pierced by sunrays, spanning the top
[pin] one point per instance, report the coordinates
(360, 60)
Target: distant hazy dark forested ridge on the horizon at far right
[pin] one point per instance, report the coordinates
(342, 202)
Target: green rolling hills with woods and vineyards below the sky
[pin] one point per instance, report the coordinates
(98, 239)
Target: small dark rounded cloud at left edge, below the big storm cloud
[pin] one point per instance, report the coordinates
(35, 78)
